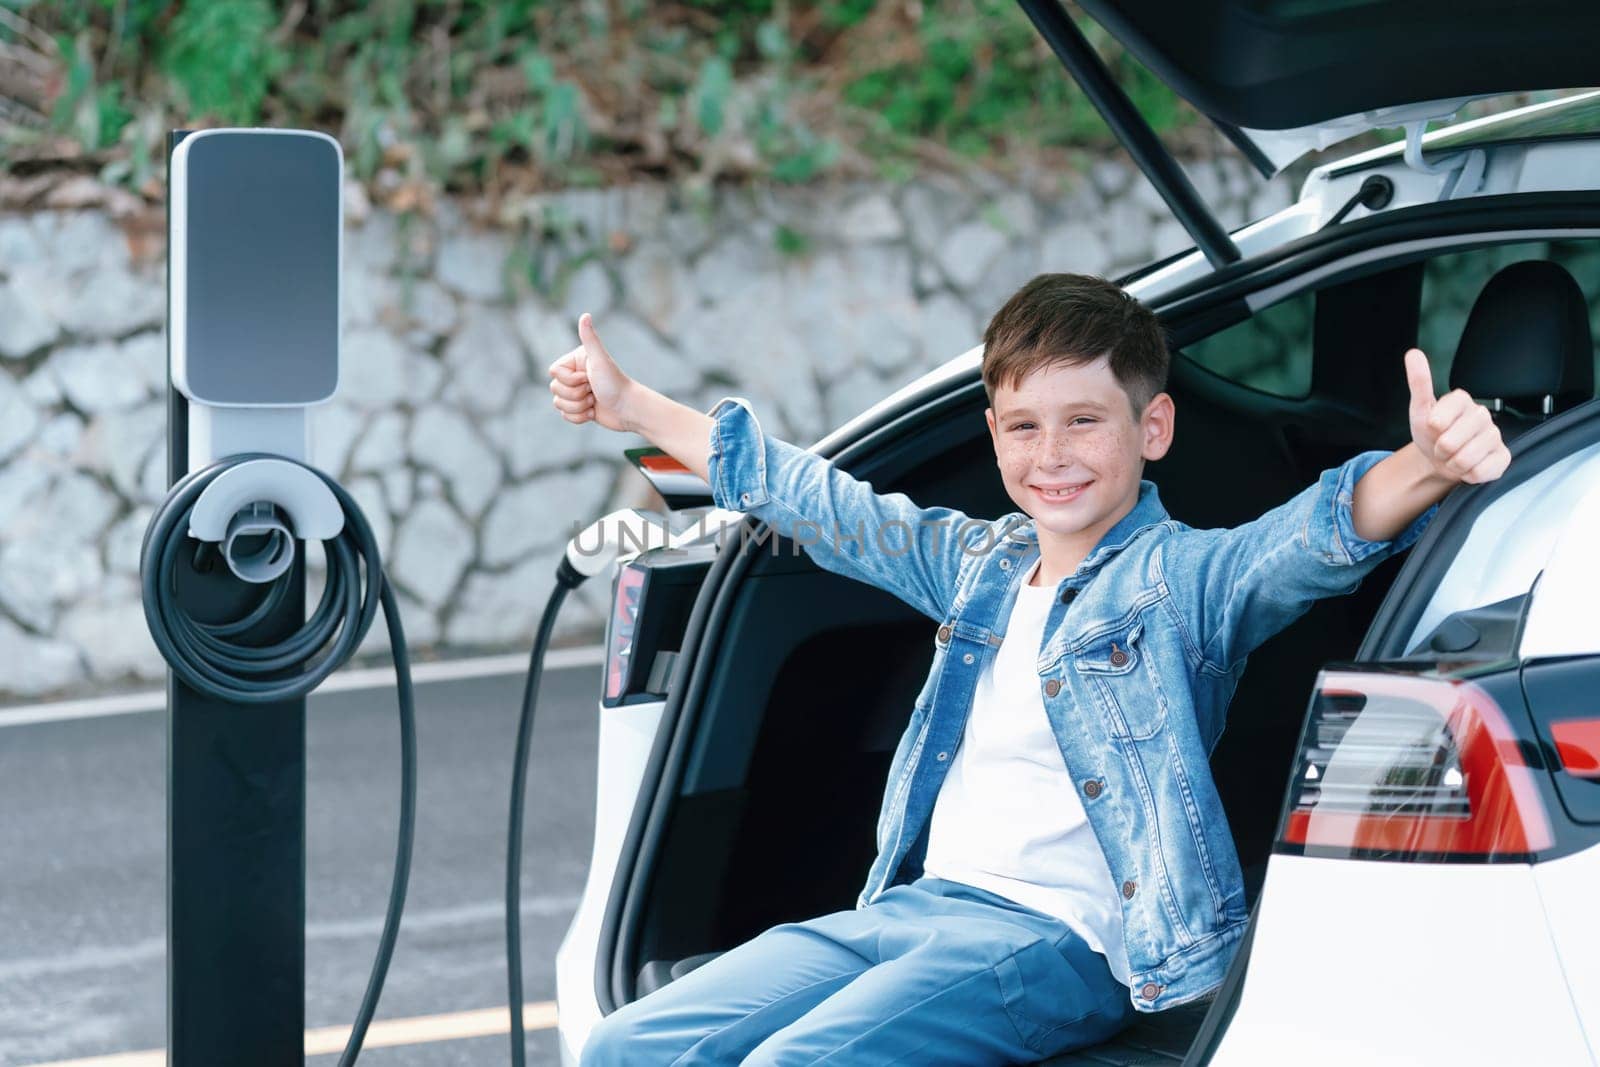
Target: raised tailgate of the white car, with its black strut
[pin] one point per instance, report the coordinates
(1287, 78)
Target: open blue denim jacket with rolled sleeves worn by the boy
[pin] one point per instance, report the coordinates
(1142, 653)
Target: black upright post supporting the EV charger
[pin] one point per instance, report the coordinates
(236, 828)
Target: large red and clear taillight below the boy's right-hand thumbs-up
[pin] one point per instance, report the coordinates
(1396, 767)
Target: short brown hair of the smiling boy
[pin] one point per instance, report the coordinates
(1076, 319)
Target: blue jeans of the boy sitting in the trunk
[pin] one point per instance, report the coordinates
(930, 973)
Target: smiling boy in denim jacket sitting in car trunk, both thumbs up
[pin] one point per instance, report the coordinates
(1054, 783)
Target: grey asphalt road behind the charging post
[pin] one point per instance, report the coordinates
(82, 868)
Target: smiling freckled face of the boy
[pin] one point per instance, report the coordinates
(1073, 428)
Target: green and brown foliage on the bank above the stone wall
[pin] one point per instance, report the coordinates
(458, 95)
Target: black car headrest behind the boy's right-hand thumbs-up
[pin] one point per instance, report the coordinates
(1527, 338)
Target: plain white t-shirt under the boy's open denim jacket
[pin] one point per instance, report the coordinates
(1009, 818)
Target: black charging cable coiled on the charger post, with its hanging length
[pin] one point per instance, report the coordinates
(204, 657)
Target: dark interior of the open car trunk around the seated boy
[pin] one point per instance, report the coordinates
(815, 676)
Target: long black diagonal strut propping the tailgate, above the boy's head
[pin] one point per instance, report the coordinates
(1130, 127)
